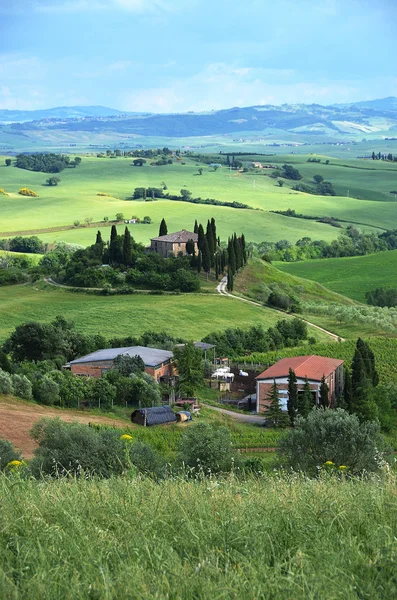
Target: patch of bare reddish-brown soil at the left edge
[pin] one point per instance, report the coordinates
(18, 417)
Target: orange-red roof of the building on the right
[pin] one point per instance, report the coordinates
(313, 367)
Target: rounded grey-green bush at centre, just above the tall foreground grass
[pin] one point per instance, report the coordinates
(206, 449)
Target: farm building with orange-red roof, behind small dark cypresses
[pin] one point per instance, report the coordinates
(312, 368)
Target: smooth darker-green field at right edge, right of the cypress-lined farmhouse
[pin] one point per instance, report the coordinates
(351, 276)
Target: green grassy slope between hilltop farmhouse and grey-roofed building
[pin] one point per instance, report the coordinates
(188, 316)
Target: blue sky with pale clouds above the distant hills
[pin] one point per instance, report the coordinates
(180, 55)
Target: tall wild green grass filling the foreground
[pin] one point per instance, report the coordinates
(277, 537)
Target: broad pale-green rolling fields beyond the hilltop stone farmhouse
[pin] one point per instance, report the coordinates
(75, 198)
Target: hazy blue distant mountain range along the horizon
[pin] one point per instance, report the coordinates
(371, 119)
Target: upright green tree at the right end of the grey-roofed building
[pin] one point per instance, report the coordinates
(189, 362)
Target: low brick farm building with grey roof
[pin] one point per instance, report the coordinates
(158, 363)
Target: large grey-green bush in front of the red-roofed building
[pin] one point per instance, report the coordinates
(335, 436)
